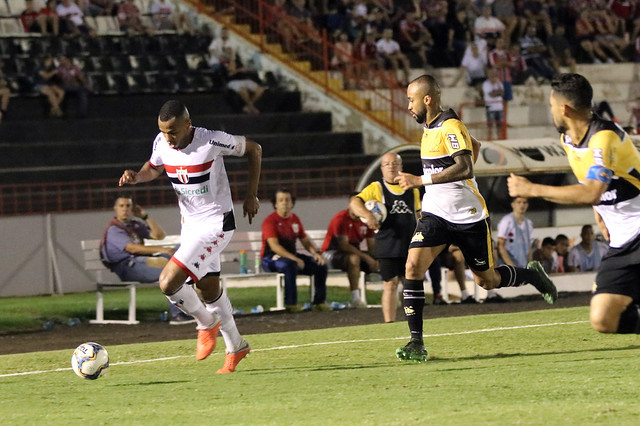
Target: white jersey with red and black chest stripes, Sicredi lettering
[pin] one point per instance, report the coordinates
(197, 172)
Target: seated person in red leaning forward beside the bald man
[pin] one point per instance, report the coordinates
(341, 250)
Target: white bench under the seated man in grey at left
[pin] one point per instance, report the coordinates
(92, 263)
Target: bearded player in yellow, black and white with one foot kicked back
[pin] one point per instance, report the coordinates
(453, 212)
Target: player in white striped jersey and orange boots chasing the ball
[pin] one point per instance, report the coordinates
(193, 159)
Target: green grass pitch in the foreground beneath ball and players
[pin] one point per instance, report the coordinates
(542, 367)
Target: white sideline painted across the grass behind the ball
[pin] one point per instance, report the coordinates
(338, 342)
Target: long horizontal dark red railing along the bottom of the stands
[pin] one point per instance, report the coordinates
(19, 199)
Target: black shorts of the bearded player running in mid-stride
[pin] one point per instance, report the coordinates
(474, 239)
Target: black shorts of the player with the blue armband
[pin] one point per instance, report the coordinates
(619, 271)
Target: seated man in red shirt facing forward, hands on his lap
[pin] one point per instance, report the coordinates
(280, 232)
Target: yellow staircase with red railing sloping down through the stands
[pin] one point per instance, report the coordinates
(378, 94)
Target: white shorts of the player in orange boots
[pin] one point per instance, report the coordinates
(200, 246)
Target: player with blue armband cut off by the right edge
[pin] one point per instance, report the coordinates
(607, 166)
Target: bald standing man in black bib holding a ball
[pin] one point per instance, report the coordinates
(394, 234)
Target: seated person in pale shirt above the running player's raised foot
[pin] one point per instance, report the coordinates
(515, 238)
